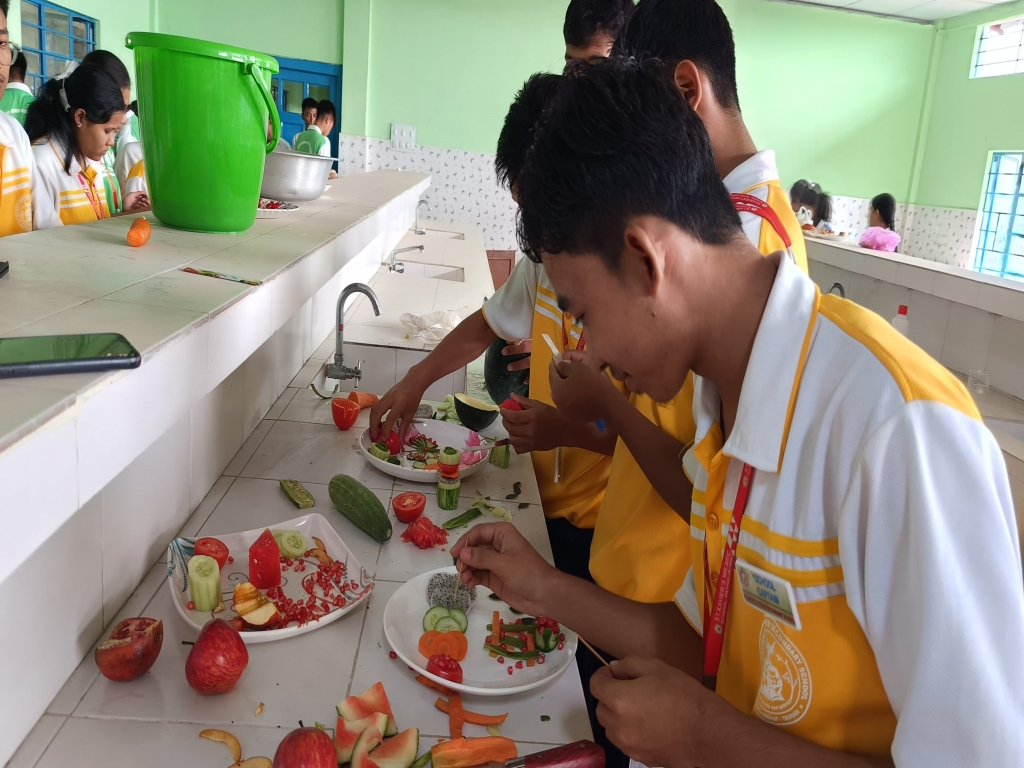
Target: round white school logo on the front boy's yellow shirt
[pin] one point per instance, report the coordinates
(785, 695)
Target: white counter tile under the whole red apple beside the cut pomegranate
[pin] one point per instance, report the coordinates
(302, 678)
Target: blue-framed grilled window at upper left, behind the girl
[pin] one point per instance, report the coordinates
(53, 36)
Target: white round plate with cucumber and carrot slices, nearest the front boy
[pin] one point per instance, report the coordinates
(482, 674)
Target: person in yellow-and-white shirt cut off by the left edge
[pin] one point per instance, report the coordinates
(21, 203)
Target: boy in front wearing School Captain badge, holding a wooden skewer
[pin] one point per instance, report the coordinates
(852, 615)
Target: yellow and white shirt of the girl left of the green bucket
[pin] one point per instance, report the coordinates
(77, 196)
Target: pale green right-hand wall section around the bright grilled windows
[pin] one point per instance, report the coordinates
(969, 118)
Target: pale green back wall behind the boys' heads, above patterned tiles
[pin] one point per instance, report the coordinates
(838, 96)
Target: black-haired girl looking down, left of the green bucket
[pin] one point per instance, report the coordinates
(72, 126)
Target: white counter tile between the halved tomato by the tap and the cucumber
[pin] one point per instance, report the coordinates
(312, 453)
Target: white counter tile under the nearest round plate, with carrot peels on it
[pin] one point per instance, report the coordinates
(413, 705)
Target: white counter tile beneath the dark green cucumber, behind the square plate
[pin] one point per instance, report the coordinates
(252, 503)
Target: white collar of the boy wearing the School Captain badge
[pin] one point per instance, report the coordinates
(774, 373)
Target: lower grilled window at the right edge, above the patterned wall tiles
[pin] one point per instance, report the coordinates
(1000, 249)
